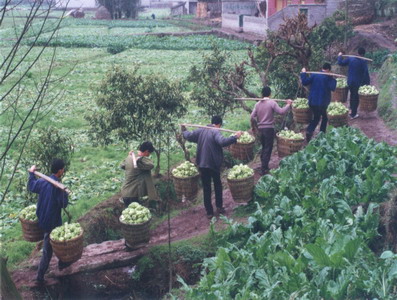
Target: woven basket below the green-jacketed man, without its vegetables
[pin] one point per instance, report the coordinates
(135, 235)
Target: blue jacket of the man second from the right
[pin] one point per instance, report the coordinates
(320, 88)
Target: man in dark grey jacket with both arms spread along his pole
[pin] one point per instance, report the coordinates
(209, 158)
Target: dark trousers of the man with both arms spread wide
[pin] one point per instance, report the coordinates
(206, 176)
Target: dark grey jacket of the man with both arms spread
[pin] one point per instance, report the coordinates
(209, 146)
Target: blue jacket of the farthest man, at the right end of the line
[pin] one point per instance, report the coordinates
(358, 71)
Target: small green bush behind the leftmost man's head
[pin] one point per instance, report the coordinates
(50, 143)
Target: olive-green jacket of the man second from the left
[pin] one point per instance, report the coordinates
(138, 181)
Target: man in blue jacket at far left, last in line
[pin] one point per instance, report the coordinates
(49, 206)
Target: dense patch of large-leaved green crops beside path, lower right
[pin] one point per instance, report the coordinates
(305, 241)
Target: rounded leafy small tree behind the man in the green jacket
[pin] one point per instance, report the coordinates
(135, 107)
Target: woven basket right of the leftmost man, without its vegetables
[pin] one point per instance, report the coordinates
(68, 251)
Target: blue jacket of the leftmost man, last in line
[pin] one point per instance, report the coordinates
(51, 201)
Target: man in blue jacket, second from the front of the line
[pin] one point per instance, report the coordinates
(319, 97)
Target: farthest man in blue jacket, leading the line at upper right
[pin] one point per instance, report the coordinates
(357, 76)
